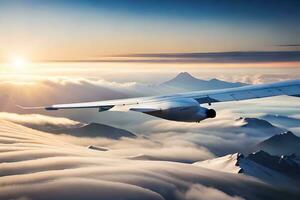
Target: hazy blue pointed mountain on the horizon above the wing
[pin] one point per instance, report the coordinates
(186, 81)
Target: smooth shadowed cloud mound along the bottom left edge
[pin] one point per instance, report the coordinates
(79, 188)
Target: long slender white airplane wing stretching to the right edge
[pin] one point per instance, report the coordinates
(149, 104)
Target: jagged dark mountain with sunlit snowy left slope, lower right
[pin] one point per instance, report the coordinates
(268, 168)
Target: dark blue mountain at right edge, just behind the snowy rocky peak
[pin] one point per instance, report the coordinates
(281, 144)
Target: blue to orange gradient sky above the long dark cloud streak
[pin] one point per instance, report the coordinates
(75, 30)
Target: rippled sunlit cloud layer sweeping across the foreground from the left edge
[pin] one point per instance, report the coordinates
(37, 165)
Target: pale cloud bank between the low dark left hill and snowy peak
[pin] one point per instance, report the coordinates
(150, 148)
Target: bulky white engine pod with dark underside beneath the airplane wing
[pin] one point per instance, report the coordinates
(186, 110)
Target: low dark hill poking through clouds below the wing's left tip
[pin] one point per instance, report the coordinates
(96, 130)
